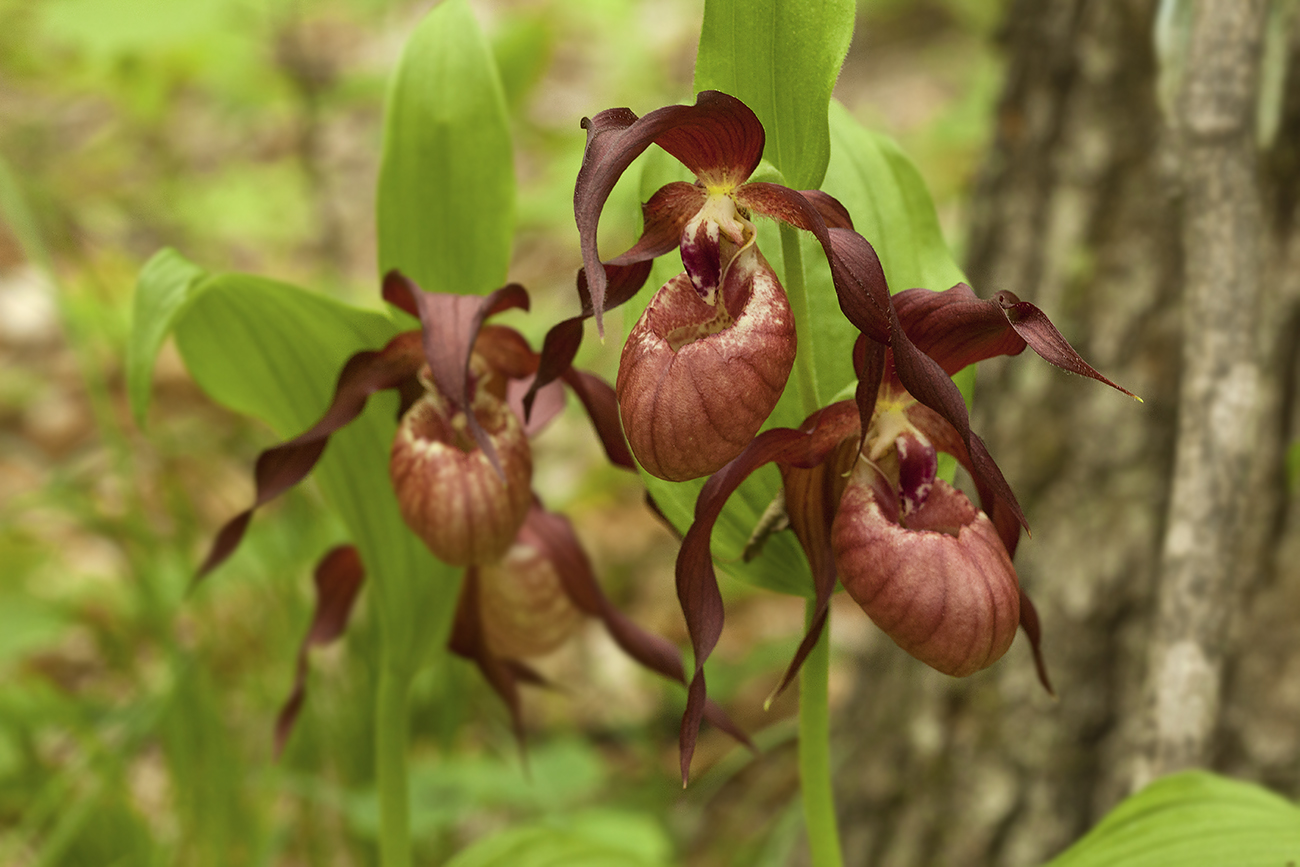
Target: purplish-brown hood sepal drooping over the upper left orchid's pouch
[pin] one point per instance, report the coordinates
(450, 326)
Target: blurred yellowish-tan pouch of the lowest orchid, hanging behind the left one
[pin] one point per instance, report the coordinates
(525, 608)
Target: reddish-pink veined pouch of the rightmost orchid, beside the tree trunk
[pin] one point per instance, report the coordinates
(935, 578)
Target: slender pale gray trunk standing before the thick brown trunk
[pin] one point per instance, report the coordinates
(1217, 433)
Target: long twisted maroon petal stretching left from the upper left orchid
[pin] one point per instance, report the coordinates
(287, 465)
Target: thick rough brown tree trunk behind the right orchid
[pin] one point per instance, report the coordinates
(1080, 209)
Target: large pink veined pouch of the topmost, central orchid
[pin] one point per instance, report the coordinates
(697, 380)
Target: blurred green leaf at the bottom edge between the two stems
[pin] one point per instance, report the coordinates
(590, 839)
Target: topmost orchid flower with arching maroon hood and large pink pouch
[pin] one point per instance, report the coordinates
(709, 359)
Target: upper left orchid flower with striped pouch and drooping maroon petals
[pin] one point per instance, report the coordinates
(457, 435)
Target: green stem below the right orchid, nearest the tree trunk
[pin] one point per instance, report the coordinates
(816, 753)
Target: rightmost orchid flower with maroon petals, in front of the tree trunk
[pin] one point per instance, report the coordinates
(934, 573)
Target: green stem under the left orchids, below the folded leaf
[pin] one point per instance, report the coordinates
(392, 735)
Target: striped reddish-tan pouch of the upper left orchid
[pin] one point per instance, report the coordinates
(448, 489)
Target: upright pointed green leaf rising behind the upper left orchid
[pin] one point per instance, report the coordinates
(447, 200)
